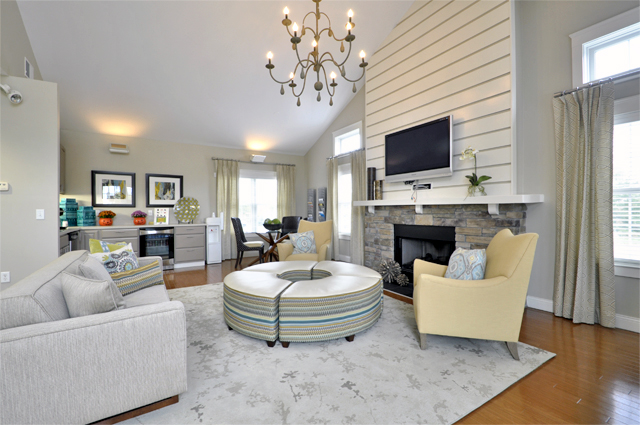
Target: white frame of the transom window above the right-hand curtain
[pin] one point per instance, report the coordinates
(601, 29)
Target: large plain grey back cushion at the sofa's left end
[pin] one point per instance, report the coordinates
(38, 297)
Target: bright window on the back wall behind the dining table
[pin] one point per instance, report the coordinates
(257, 198)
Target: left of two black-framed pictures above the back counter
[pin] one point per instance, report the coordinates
(113, 189)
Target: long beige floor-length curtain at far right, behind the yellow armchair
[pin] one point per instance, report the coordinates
(584, 273)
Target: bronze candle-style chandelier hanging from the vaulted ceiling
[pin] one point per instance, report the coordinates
(315, 62)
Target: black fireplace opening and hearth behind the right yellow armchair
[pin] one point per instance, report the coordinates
(430, 243)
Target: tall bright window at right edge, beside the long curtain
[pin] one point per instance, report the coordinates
(626, 182)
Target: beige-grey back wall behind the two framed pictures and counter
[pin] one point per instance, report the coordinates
(90, 151)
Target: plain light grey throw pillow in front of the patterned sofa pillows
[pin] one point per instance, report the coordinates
(87, 296)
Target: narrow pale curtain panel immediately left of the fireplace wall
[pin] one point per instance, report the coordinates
(358, 193)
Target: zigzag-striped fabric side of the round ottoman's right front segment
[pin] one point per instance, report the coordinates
(320, 318)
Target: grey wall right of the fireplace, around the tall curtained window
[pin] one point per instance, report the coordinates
(543, 67)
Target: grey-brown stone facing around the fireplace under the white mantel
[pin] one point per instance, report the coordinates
(475, 227)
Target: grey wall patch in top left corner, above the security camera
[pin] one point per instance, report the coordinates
(14, 43)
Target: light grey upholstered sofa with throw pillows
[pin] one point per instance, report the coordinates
(57, 369)
